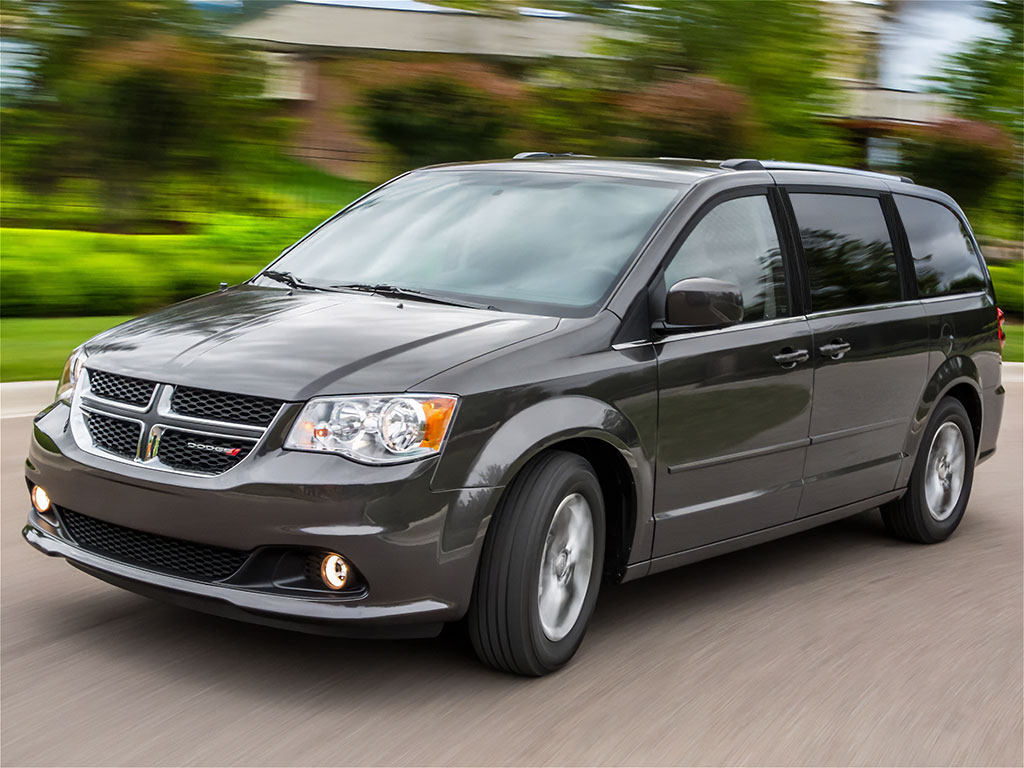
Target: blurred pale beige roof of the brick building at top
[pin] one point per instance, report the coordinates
(419, 27)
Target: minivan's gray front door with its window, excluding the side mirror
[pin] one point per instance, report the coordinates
(735, 404)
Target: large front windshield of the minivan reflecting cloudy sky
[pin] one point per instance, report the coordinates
(538, 242)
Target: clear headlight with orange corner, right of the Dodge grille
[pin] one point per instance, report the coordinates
(375, 430)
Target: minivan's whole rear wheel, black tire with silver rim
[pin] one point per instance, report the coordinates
(941, 484)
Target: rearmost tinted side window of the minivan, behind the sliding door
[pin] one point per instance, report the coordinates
(945, 260)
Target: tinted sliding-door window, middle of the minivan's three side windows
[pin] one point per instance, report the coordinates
(850, 261)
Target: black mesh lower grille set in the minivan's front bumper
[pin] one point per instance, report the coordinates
(163, 553)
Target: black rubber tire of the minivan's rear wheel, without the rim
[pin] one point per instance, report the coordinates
(909, 518)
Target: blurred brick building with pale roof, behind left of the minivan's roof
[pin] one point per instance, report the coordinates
(323, 53)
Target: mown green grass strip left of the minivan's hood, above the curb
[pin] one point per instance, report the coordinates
(35, 349)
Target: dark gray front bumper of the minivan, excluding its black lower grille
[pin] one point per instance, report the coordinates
(415, 549)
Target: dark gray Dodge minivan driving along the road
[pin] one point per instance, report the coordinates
(483, 390)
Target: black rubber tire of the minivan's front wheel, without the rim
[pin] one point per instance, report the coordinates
(504, 620)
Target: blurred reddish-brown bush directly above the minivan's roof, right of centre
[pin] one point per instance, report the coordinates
(695, 117)
